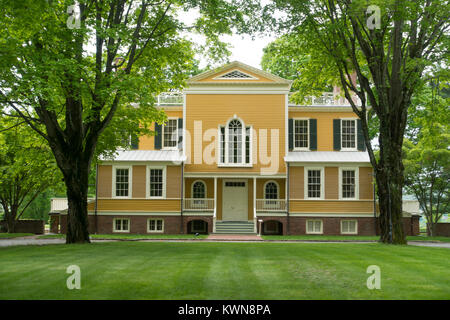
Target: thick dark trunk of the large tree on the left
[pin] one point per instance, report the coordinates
(76, 180)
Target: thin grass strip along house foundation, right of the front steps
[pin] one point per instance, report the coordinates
(352, 238)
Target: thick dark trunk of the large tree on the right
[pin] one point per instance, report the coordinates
(389, 176)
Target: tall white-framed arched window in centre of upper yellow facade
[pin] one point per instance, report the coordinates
(234, 143)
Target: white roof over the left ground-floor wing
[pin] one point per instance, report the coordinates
(146, 155)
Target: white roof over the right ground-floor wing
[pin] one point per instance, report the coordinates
(328, 156)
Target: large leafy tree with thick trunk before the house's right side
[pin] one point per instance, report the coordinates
(388, 47)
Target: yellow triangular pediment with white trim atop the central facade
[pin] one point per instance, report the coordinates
(236, 72)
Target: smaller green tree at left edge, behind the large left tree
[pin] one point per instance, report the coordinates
(27, 169)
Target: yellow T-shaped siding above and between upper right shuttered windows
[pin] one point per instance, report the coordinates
(324, 125)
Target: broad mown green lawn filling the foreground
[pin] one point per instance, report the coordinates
(186, 270)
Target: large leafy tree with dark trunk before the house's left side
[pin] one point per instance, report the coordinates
(72, 77)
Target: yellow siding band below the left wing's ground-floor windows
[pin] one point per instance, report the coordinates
(137, 205)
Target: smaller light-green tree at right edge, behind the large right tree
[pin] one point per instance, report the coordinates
(427, 157)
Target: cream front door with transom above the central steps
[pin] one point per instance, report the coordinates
(234, 200)
